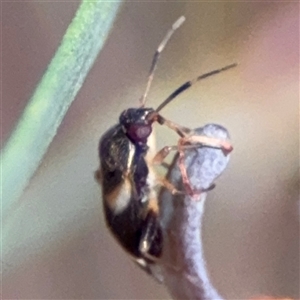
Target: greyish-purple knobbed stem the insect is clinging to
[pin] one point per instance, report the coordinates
(183, 263)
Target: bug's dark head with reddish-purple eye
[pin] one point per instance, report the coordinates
(137, 123)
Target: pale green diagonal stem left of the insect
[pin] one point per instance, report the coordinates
(54, 94)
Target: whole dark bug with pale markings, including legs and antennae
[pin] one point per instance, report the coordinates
(126, 174)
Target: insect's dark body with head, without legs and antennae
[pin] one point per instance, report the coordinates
(130, 201)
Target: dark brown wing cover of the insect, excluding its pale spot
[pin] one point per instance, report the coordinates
(127, 225)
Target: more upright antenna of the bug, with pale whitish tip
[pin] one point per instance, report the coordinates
(156, 56)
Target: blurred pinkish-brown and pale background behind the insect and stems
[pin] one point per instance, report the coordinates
(55, 243)
